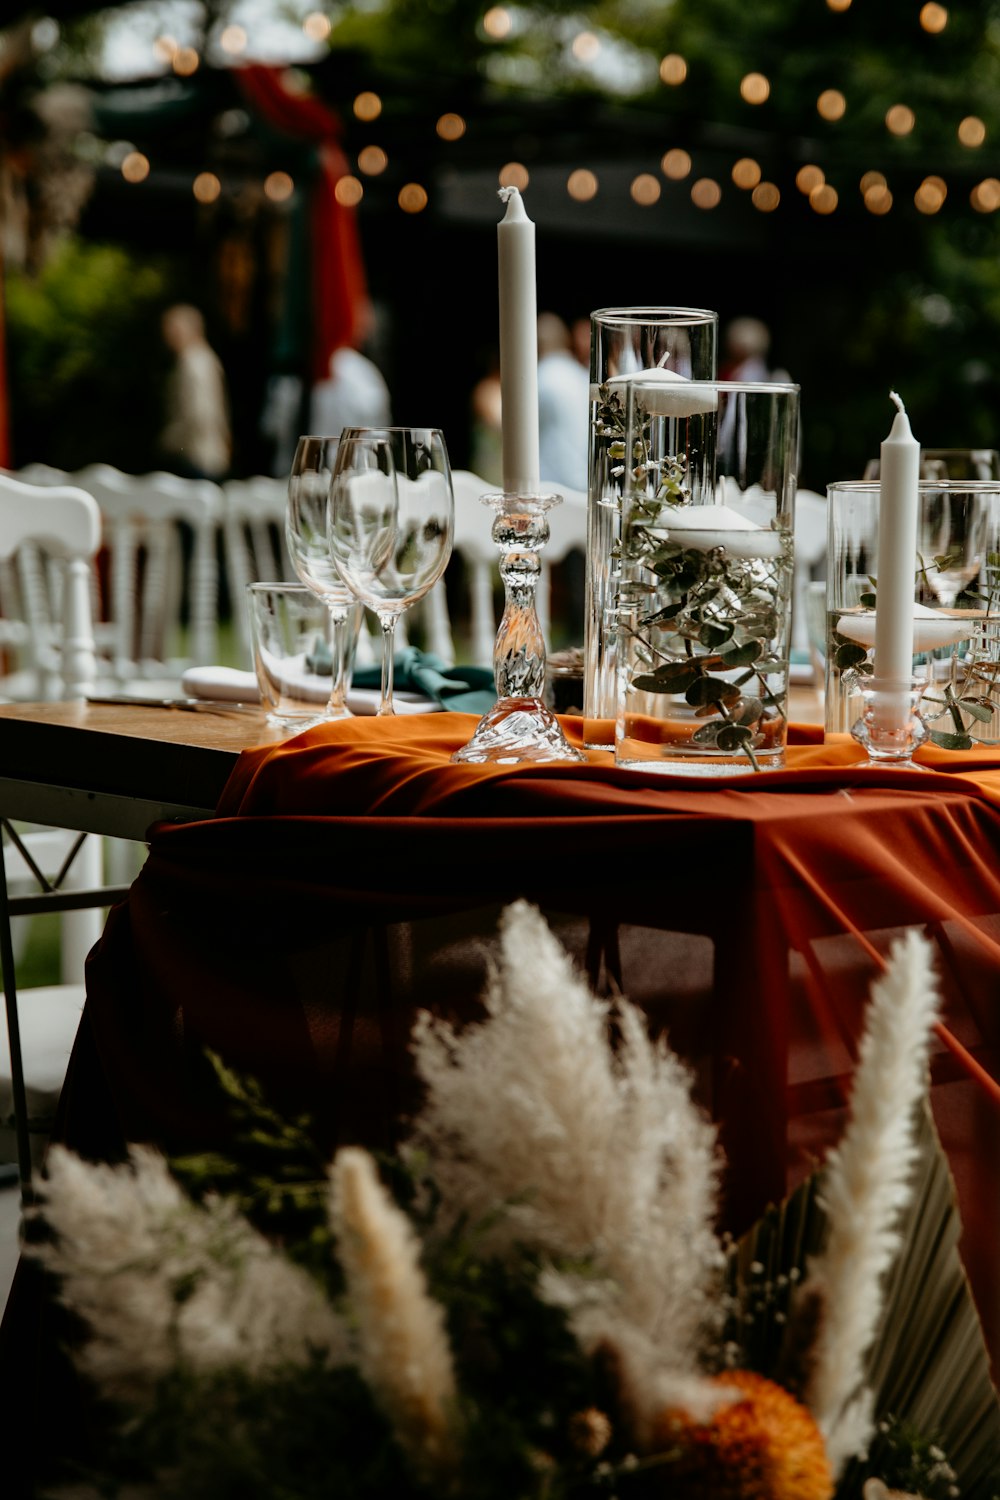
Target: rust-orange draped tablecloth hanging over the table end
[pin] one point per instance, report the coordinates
(355, 874)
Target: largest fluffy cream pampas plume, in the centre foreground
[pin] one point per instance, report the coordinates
(594, 1153)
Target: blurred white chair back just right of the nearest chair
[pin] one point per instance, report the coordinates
(145, 641)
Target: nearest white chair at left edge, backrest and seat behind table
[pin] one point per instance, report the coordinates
(64, 524)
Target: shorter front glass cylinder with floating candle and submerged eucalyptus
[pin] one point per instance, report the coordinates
(707, 566)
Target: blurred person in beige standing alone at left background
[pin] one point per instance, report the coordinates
(197, 439)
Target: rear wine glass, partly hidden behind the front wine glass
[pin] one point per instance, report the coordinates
(310, 550)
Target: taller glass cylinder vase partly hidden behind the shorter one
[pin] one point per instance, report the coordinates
(624, 343)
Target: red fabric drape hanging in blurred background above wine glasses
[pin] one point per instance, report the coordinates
(340, 290)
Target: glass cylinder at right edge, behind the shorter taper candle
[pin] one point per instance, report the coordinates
(956, 607)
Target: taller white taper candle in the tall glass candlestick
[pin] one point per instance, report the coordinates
(518, 347)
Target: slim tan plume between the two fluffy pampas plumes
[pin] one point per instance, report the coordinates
(403, 1343)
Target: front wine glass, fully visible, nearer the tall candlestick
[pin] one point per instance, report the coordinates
(392, 523)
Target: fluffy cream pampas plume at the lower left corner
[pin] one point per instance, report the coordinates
(163, 1282)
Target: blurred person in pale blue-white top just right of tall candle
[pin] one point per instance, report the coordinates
(564, 407)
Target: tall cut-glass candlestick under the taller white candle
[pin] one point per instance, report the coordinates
(519, 728)
